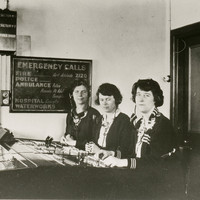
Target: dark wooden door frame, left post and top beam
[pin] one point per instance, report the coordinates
(179, 65)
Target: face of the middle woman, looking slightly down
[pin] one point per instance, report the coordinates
(107, 103)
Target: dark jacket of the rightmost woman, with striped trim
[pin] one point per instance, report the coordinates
(163, 141)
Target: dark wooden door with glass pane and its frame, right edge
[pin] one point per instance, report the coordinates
(185, 87)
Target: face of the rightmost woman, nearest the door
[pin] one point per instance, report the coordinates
(144, 100)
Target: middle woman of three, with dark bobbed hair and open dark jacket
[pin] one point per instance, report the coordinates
(112, 136)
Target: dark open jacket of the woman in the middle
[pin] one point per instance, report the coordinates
(118, 136)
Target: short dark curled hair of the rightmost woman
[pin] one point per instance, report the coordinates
(149, 85)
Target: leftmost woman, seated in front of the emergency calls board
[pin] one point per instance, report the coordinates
(81, 120)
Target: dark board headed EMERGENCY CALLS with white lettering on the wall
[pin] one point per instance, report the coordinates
(42, 84)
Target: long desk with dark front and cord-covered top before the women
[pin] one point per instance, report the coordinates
(31, 170)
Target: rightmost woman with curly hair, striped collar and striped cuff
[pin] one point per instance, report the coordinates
(154, 137)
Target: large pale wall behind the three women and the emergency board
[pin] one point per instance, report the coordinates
(126, 40)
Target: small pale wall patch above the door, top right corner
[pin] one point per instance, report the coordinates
(184, 12)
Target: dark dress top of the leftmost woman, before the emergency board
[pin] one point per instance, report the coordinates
(82, 132)
